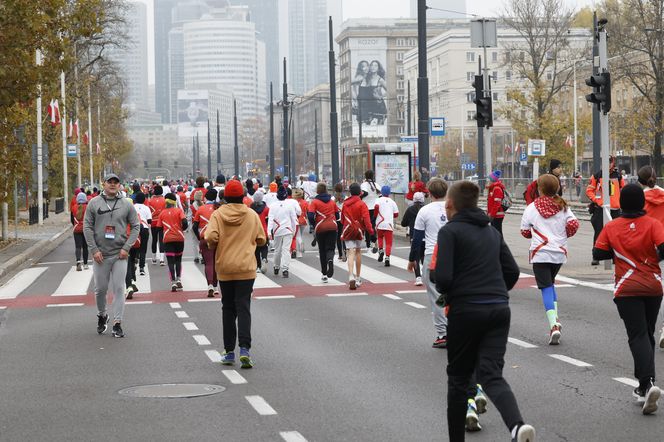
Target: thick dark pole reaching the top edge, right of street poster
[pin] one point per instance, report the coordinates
(422, 91)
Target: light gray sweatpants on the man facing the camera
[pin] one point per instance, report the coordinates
(111, 272)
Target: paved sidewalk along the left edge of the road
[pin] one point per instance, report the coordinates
(34, 242)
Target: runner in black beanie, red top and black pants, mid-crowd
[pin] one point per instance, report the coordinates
(323, 214)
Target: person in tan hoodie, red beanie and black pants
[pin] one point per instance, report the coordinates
(235, 231)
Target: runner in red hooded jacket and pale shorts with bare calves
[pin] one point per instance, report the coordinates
(356, 224)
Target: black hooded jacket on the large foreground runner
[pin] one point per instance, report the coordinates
(474, 265)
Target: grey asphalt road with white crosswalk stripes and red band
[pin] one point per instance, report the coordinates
(331, 364)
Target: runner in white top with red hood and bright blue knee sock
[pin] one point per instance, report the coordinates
(548, 222)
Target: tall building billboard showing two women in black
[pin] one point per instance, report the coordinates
(368, 57)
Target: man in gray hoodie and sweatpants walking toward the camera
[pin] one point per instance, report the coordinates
(111, 227)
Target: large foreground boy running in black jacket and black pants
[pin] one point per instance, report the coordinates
(479, 313)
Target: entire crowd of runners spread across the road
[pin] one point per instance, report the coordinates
(229, 226)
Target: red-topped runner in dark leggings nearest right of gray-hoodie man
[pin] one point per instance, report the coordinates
(174, 223)
